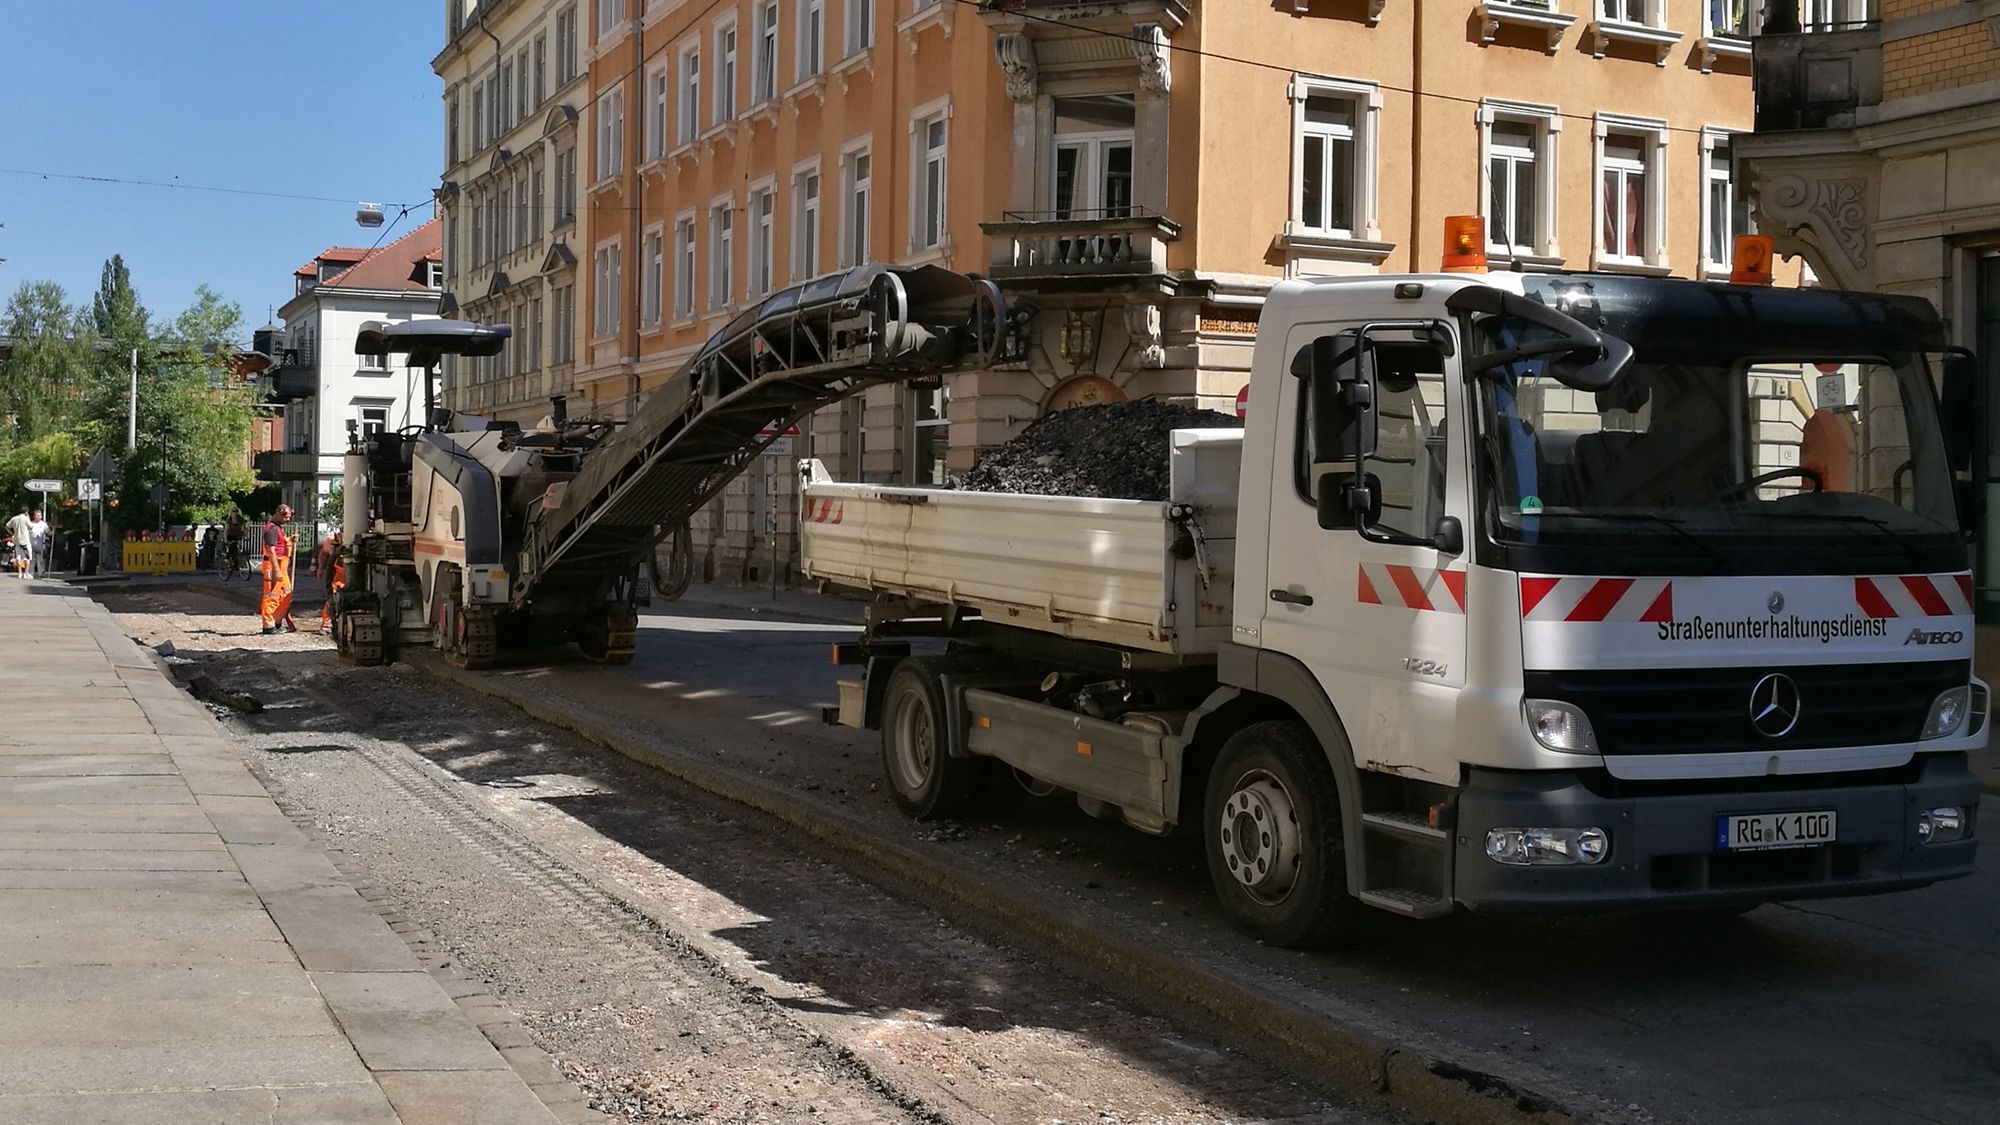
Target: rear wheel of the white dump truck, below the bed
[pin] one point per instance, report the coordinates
(925, 780)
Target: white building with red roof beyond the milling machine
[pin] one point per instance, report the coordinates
(321, 381)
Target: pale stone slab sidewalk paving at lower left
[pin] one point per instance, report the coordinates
(171, 948)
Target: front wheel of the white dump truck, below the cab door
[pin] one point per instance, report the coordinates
(1271, 820)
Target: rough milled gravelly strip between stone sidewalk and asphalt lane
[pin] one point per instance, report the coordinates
(673, 956)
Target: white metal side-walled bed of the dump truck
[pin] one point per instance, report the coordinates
(1079, 568)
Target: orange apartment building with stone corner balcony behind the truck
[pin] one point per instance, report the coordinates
(1139, 171)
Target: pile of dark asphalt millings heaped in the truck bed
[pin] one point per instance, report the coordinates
(1117, 451)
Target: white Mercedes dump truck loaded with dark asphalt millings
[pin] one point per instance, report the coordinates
(1515, 594)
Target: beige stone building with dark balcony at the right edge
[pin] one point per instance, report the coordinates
(1877, 157)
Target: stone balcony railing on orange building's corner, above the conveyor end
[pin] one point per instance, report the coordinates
(1043, 247)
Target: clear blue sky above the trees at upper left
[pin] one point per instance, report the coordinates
(303, 97)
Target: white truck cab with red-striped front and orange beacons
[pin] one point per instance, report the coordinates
(1607, 592)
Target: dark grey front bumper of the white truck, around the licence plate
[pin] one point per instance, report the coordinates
(1663, 846)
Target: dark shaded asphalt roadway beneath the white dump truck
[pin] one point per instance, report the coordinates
(1863, 1010)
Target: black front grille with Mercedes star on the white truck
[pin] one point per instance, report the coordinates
(1709, 710)
